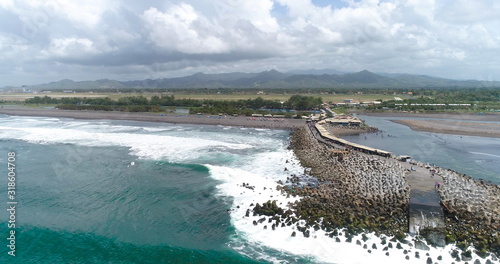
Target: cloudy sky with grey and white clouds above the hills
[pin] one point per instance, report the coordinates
(50, 40)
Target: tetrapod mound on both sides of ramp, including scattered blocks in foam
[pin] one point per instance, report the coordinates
(359, 193)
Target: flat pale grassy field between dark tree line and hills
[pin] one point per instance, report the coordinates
(280, 97)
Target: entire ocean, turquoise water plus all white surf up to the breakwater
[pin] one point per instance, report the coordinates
(104, 191)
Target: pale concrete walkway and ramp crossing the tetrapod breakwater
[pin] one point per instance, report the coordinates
(425, 214)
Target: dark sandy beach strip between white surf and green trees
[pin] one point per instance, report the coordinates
(239, 121)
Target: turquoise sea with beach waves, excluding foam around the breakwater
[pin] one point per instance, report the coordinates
(121, 192)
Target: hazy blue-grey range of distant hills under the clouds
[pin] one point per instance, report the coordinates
(275, 79)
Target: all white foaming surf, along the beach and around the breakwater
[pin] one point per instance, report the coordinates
(261, 167)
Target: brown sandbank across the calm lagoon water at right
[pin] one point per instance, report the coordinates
(457, 127)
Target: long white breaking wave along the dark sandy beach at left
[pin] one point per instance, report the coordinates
(144, 145)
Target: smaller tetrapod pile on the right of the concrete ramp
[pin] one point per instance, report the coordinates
(472, 210)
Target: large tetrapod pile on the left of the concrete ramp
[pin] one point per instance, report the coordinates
(356, 191)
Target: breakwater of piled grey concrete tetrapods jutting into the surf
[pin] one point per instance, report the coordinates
(372, 193)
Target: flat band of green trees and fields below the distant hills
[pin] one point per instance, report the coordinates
(249, 101)
